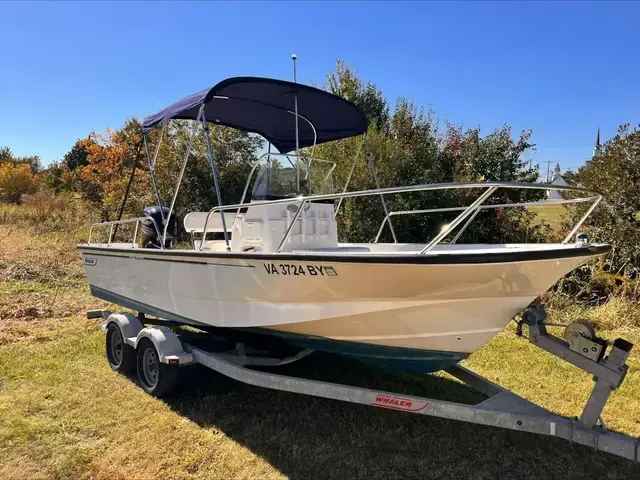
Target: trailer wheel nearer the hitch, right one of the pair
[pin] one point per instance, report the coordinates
(155, 377)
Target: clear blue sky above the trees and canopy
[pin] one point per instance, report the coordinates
(561, 69)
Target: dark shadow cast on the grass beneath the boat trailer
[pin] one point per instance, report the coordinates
(307, 437)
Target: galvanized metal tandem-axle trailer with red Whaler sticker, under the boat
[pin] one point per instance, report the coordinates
(156, 352)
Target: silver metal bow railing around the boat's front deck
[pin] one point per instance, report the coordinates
(468, 213)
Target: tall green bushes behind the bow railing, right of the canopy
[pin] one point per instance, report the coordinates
(408, 149)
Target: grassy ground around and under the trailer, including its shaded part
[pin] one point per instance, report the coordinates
(65, 414)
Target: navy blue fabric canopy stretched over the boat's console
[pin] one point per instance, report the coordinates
(265, 106)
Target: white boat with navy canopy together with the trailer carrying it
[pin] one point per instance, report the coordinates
(270, 277)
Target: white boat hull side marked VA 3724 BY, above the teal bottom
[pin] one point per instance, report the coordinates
(442, 306)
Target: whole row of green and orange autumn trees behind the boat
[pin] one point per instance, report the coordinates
(408, 145)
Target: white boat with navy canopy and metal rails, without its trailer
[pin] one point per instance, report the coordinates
(272, 268)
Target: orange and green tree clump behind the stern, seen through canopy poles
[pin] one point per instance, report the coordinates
(110, 158)
